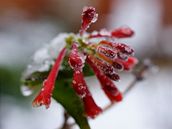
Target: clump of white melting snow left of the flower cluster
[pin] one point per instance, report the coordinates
(44, 57)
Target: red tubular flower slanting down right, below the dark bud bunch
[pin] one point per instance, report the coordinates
(107, 85)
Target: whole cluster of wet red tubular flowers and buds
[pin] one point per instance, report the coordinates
(100, 51)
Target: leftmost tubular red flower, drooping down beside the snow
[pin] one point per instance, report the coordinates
(44, 97)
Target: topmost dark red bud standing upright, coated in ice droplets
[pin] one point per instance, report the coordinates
(89, 16)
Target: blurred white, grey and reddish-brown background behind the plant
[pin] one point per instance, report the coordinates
(25, 25)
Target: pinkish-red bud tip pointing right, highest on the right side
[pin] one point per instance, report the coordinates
(123, 32)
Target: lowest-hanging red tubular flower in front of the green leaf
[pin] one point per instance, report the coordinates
(81, 89)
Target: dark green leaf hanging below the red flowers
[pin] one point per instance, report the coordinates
(66, 96)
